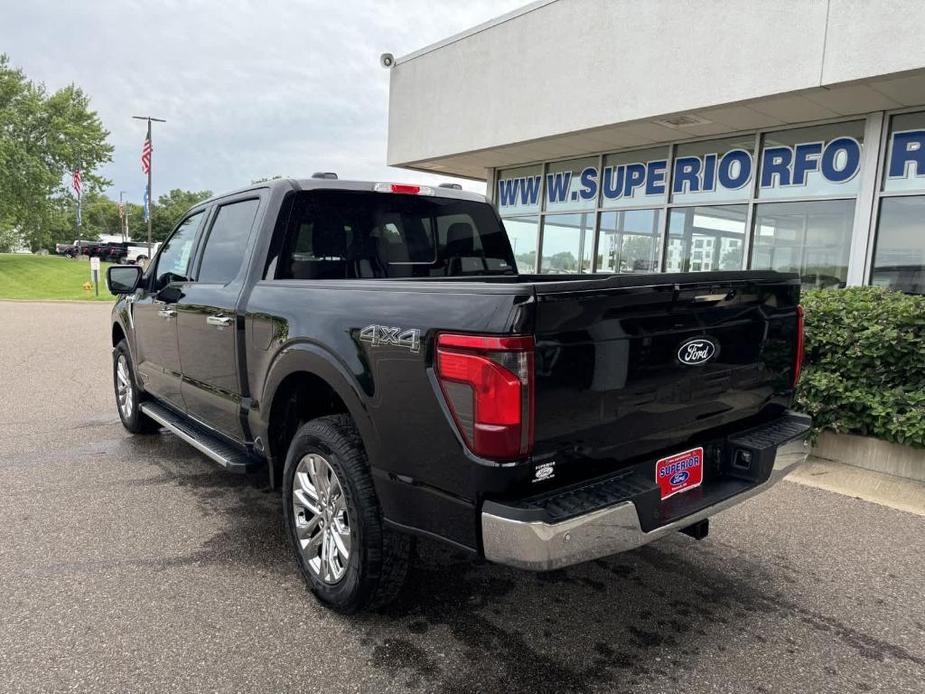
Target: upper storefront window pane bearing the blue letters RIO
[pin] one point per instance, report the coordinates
(714, 171)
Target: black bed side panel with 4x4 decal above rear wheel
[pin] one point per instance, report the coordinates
(331, 325)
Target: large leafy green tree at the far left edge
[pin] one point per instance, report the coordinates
(43, 138)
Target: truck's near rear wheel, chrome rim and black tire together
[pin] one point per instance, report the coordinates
(349, 559)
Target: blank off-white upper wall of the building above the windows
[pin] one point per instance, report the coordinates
(571, 65)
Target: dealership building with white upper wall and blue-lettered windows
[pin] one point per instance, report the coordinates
(670, 135)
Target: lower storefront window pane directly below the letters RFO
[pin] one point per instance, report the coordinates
(810, 238)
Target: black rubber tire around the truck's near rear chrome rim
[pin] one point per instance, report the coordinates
(379, 557)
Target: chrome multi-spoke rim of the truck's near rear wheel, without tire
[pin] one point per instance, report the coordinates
(322, 524)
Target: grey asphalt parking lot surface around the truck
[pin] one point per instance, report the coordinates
(133, 563)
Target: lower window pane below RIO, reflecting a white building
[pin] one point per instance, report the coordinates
(702, 239)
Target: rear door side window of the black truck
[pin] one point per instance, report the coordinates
(224, 251)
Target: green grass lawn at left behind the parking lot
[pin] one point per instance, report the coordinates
(48, 277)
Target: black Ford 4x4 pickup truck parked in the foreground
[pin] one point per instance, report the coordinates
(374, 347)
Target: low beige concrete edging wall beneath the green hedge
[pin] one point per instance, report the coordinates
(872, 454)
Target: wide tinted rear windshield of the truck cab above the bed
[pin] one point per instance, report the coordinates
(356, 235)
